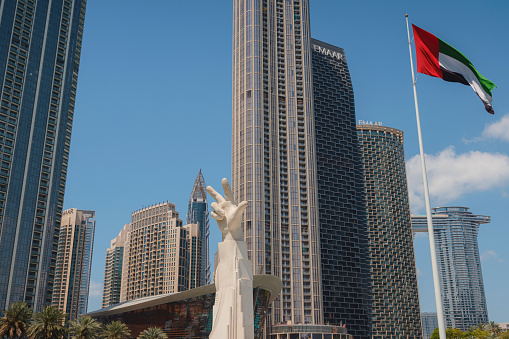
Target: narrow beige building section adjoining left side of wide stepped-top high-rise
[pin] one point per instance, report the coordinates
(113, 269)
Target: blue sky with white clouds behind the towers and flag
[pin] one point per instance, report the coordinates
(154, 106)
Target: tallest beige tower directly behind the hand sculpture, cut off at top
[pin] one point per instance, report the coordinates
(273, 151)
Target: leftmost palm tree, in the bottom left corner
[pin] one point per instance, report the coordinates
(14, 323)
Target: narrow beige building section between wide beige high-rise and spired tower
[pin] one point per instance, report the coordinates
(194, 248)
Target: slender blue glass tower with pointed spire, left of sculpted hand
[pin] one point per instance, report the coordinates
(198, 213)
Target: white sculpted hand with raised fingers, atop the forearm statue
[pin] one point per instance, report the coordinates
(227, 214)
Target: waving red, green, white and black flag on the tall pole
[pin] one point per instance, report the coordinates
(441, 60)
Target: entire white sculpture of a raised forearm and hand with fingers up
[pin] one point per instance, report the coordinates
(233, 308)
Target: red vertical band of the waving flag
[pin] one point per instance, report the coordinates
(426, 50)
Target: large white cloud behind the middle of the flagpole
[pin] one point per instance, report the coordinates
(452, 175)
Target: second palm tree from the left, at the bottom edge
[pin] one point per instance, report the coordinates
(48, 324)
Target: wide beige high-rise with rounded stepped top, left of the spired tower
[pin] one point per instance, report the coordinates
(155, 253)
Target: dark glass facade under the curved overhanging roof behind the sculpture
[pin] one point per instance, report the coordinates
(186, 318)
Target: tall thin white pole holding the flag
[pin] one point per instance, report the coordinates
(431, 234)
